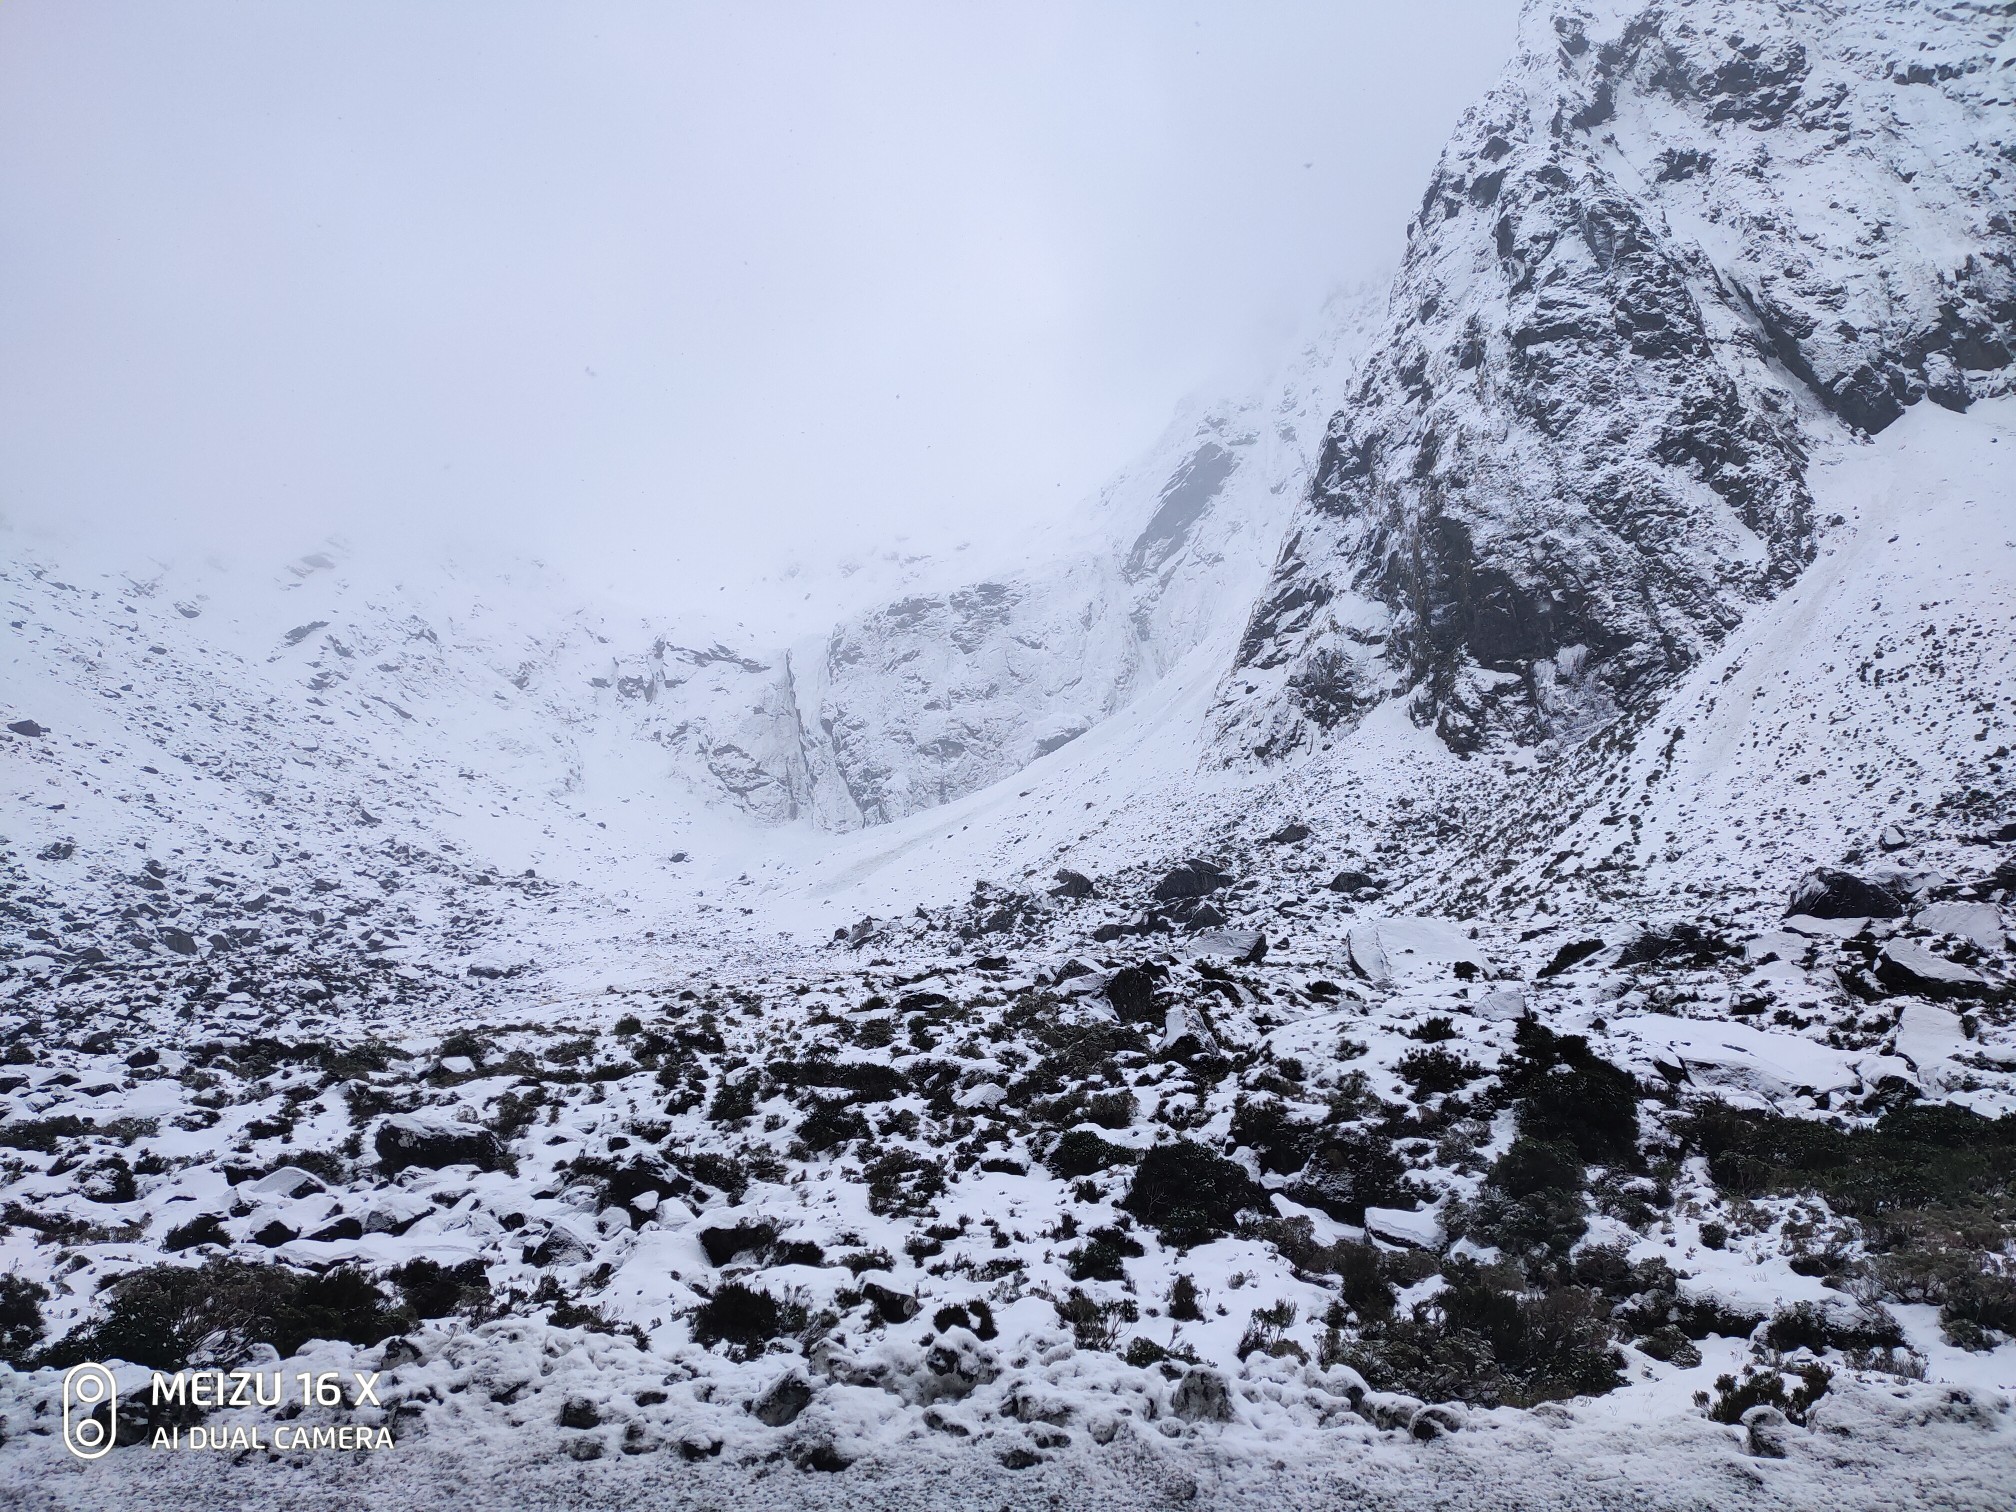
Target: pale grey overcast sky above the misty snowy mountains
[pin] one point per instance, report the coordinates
(672, 289)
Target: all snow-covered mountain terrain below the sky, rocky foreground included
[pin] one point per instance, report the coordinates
(1453, 938)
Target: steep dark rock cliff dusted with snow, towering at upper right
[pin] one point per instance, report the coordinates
(1666, 249)
